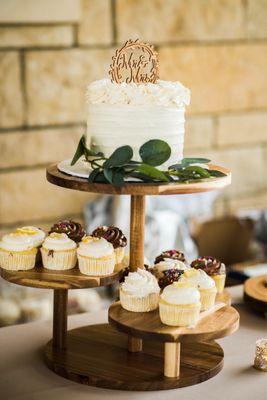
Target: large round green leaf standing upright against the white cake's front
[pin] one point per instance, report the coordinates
(155, 152)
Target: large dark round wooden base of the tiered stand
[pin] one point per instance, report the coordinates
(97, 355)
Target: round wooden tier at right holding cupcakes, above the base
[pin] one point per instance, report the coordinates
(148, 325)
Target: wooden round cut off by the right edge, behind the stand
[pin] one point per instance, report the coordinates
(255, 294)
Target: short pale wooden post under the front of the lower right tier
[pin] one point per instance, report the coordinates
(171, 360)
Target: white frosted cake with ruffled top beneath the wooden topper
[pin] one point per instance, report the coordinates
(131, 114)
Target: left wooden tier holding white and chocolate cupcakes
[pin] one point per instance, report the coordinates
(42, 278)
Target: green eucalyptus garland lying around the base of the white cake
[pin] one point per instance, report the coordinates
(119, 166)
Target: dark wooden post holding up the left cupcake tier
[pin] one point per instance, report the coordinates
(60, 318)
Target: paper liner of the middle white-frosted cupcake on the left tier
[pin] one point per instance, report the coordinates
(59, 260)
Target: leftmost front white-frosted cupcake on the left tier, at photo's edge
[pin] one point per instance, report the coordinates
(17, 252)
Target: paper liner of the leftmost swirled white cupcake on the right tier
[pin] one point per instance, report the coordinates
(139, 304)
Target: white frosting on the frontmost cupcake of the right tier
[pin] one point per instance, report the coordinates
(180, 293)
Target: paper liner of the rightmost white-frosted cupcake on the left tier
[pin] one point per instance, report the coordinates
(96, 266)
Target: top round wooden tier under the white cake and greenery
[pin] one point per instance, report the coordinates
(71, 182)
